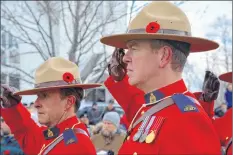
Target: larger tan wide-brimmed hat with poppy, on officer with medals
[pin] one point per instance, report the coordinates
(160, 20)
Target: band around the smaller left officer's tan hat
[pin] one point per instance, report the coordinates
(57, 83)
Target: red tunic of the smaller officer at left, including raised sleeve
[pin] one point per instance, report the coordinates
(31, 138)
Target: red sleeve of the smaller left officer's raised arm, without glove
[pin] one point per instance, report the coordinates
(25, 130)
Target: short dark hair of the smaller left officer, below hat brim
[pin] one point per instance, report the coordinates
(77, 92)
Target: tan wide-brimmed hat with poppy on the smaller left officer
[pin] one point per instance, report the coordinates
(57, 73)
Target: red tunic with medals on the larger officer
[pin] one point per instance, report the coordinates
(176, 131)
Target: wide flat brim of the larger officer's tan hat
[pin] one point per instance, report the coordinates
(197, 44)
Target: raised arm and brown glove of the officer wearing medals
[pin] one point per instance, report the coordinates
(117, 84)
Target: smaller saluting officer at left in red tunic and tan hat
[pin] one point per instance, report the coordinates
(59, 90)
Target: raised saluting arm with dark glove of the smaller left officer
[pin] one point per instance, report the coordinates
(17, 117)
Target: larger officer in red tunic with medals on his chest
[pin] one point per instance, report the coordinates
(171, 121)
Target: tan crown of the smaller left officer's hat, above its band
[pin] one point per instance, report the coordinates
(53, 70)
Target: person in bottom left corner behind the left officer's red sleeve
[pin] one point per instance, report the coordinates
(8, 143)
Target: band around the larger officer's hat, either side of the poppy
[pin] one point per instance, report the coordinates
(162, 31)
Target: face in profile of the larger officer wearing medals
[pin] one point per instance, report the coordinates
(142, 62)
